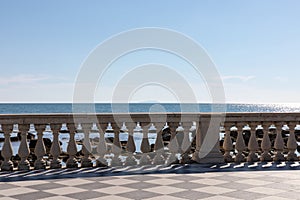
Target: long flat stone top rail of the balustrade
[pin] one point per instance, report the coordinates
(147, 118)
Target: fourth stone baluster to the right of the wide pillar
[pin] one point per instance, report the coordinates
(266, 145)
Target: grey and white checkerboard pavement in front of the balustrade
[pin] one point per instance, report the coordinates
(175, 183)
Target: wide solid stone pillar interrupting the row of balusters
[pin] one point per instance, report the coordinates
(208, 148)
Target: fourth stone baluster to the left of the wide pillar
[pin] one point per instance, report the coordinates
(145, 146)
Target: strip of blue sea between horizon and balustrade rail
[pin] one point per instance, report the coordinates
(27, 108)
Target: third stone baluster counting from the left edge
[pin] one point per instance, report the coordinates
(40, 149)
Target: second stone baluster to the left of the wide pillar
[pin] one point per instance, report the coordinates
(173, 146)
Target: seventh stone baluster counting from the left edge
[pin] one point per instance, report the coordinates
(101, 149)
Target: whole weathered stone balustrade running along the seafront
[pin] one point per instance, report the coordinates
(108, 140)
